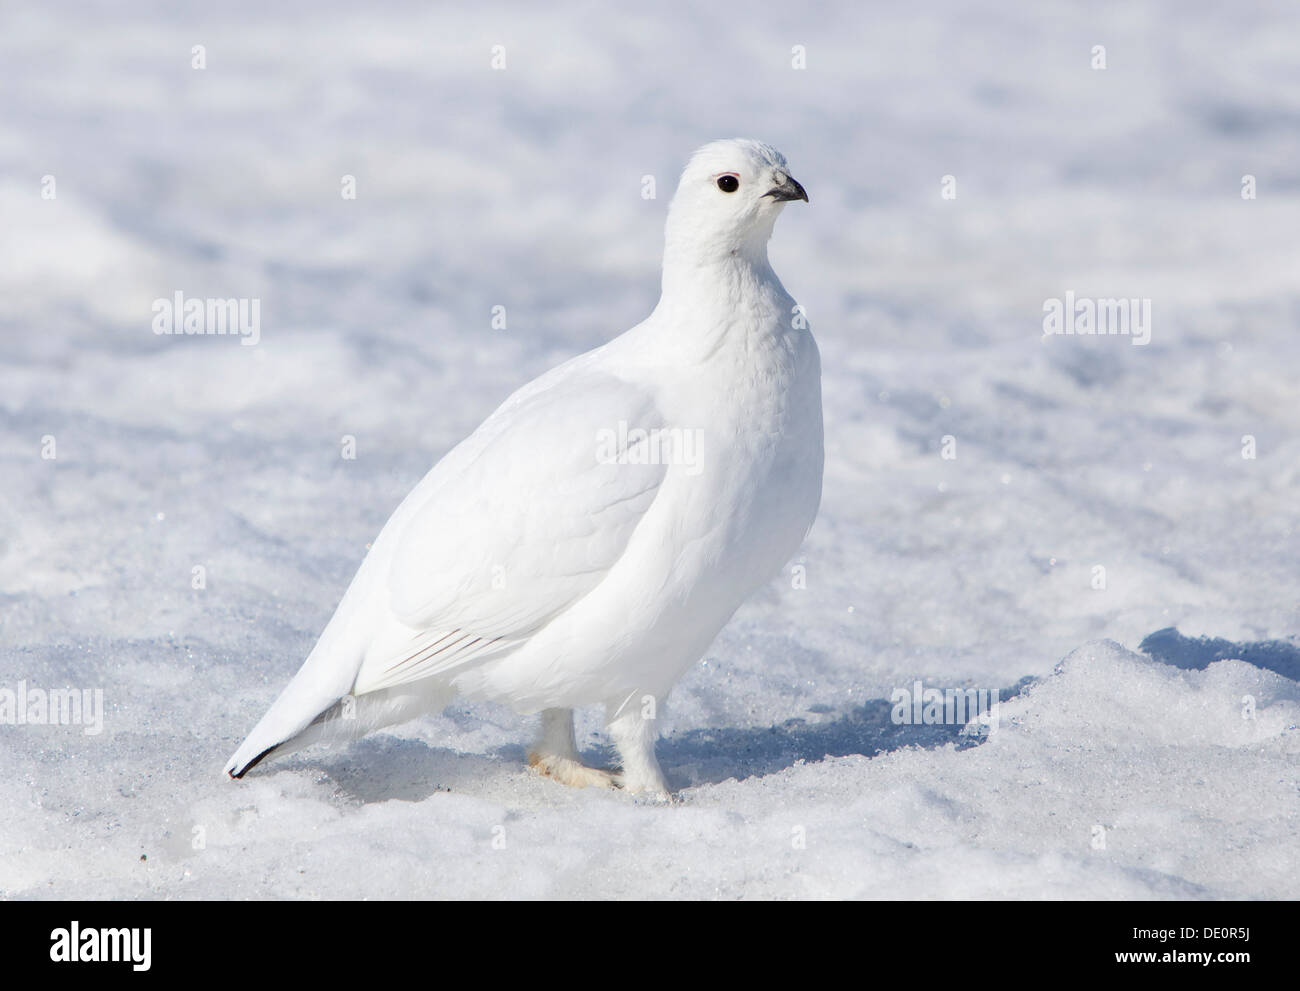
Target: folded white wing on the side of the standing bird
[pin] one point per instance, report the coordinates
(519, 533)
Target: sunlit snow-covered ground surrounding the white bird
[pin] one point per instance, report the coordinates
(1165, 772)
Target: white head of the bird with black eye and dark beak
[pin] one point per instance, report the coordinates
(729, 200)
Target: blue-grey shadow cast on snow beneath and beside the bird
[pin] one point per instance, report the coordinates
(387, 769)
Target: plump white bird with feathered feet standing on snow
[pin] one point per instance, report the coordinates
(591, 539)
